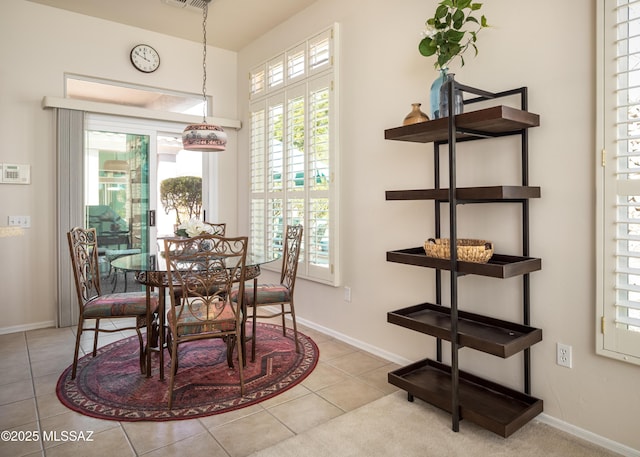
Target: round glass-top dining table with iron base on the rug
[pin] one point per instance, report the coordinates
(151, 271)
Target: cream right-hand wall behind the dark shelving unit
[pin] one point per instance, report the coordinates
(548, 46)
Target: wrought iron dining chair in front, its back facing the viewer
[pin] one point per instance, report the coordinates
(205, 269)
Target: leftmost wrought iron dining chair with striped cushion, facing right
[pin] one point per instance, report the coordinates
(83, 248)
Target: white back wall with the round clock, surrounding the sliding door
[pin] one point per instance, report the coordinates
(38, 45)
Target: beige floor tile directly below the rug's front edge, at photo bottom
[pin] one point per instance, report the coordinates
(149, 436)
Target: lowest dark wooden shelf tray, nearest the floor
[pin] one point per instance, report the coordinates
(497, 408)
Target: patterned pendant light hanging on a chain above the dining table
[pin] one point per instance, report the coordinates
(204, 137)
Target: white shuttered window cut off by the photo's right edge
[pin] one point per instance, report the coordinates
(618, 180)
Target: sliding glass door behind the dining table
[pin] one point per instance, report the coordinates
(125, 161)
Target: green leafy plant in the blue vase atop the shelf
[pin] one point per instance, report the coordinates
(452, 31)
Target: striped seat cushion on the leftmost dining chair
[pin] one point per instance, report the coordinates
(120, 304)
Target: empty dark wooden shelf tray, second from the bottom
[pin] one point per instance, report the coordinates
(486, 334)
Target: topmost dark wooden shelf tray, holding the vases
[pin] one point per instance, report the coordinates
(495, 121)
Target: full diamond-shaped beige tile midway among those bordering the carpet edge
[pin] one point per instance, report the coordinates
(305, 412)
